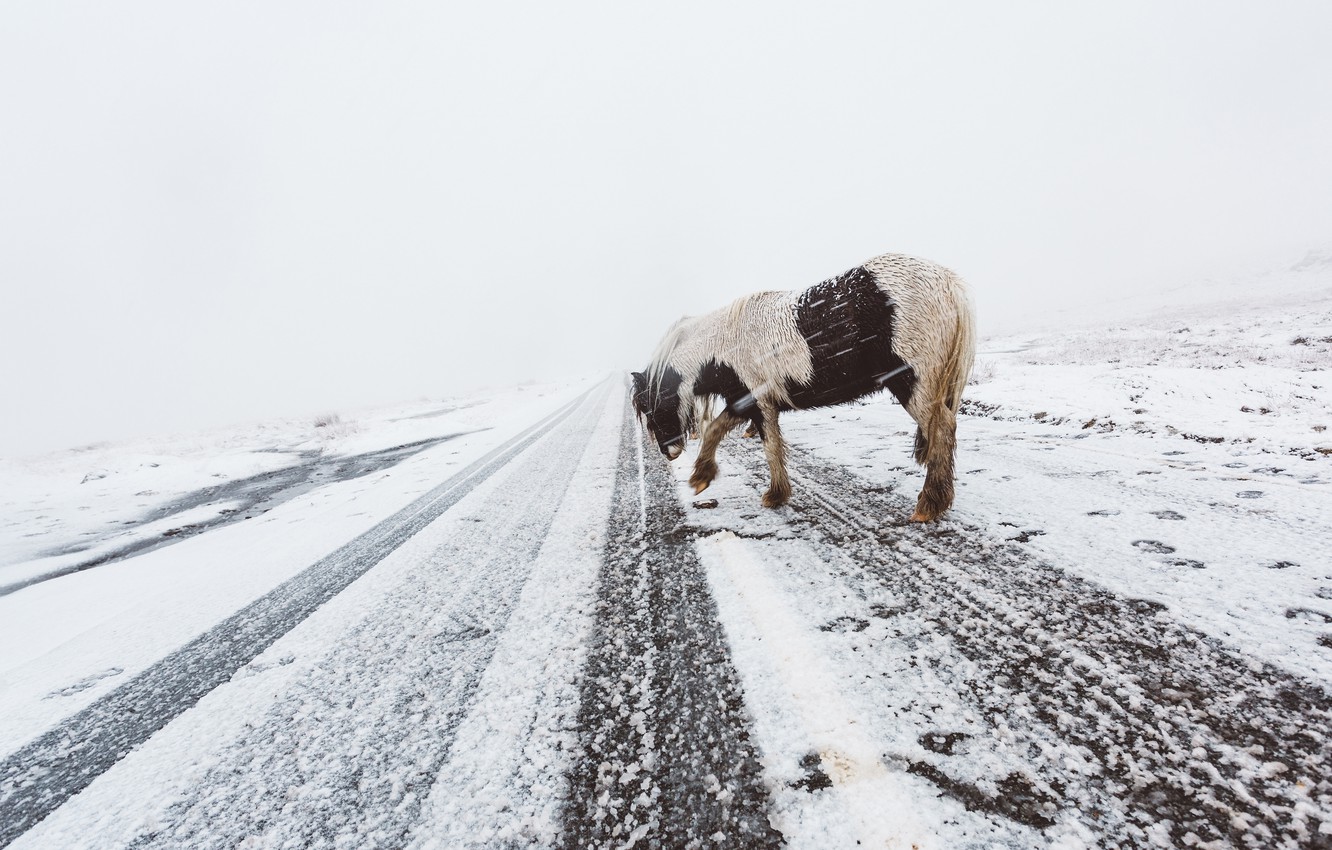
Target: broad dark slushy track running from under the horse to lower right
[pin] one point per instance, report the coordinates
(1141, 729)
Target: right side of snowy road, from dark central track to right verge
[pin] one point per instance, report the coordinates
(1046, 708)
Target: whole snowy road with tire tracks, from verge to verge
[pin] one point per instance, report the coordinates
(556, 649)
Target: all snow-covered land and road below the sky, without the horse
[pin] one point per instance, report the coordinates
(573, 651)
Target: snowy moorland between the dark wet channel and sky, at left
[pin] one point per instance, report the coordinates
(65, 508)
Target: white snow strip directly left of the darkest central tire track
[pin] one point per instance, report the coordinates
(505, 781)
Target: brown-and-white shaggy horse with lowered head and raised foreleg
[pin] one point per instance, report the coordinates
(893, 323)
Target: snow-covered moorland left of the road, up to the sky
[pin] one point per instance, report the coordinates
(69, 640)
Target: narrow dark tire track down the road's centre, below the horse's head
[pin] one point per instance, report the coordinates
(665, 733)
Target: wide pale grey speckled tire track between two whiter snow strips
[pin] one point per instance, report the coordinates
(348, 753)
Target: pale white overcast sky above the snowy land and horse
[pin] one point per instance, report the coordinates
(219, 212)
